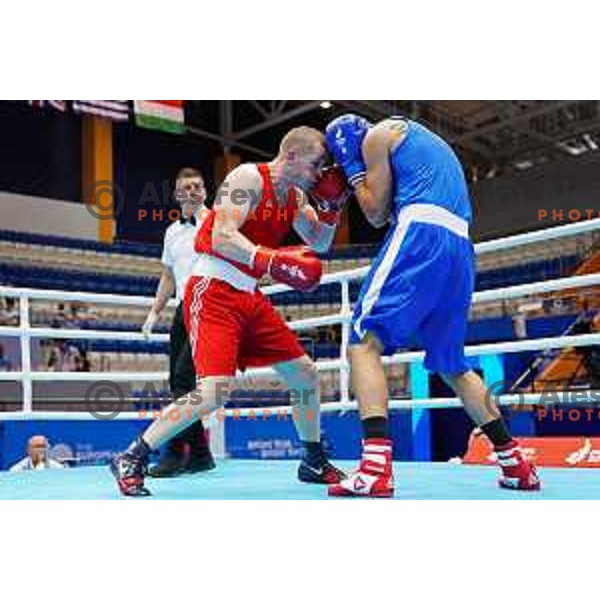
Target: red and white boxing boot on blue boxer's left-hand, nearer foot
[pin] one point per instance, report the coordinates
(374, 477)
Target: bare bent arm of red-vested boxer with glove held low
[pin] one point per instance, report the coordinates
(233, 204)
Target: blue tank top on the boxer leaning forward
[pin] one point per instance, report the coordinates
(426, 171)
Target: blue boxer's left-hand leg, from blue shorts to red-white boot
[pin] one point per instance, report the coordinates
(396, 297)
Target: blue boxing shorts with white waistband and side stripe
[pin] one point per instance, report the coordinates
(419, 288)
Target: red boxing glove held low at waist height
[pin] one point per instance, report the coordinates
(296, 266)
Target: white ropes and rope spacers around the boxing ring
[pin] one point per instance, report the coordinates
(25, 332)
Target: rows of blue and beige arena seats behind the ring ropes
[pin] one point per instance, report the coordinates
(29, 260)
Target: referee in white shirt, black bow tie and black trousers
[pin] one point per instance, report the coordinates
(188, 452)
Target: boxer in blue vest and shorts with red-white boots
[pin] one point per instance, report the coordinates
(419, 287)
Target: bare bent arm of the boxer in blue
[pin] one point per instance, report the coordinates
(374, 193)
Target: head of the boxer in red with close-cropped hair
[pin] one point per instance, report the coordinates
(302, 154)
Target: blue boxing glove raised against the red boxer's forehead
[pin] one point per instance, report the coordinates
(344, 137)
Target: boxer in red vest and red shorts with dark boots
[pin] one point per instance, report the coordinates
(231, 324)
